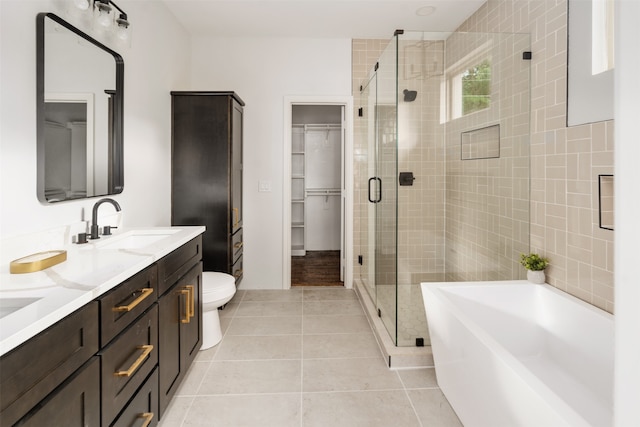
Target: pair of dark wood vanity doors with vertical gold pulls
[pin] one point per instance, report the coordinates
(180, 332)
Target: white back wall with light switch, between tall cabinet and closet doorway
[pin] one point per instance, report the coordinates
(263, 71)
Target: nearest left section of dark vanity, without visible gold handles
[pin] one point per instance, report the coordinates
(41, 373)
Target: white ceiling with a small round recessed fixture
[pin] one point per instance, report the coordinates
(318, 18)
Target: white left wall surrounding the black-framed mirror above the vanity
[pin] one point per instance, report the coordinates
(156, 62)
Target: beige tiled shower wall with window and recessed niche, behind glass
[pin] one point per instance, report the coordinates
(487, 199)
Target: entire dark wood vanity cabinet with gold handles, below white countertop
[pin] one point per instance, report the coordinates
(118, 360)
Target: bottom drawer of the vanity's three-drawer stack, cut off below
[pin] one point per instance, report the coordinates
(143, 407)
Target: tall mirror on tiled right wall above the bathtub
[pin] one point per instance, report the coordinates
(590, 61)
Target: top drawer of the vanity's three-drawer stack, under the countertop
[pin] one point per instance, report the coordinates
(122, 305)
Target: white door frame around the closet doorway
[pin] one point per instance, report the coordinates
(347, 103)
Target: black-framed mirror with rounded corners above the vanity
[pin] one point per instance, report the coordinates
(79, 113)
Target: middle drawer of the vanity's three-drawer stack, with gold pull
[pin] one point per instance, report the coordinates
(127, 361)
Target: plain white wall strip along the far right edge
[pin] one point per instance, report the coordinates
(627, 211)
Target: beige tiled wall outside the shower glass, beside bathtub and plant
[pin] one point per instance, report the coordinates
(565, 162)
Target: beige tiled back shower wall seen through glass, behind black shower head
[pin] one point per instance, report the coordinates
(421, 210)
